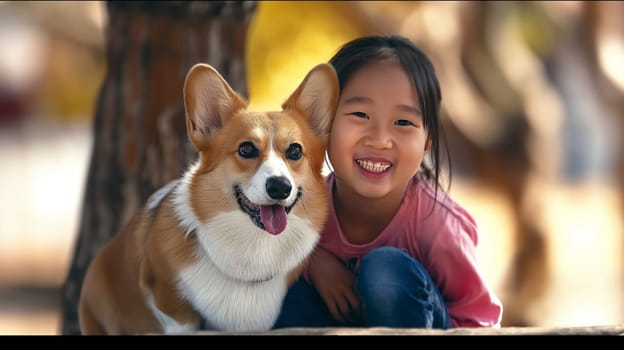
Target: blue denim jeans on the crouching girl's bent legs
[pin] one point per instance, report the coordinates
(395, 290)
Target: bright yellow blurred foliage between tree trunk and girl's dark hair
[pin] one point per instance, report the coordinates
(287, 38)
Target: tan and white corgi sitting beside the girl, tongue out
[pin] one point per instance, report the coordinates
(219, 247)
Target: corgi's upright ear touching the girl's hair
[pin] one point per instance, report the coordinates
(317, 97)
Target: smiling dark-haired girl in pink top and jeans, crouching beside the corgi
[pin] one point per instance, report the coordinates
(396, 251)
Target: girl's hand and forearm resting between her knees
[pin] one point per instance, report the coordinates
(334, 282)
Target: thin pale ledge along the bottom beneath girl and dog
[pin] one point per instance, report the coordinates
(591, 330)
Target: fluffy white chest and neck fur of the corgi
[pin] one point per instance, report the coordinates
(239, 280)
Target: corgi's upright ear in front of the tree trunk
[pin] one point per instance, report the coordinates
(208, 102)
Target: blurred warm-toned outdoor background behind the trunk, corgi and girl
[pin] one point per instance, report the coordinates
(533, 106)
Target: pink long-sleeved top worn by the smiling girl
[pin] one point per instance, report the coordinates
(443, 240)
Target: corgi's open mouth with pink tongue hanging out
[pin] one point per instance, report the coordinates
(271, 218)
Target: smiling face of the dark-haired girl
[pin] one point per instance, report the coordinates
(377, 140)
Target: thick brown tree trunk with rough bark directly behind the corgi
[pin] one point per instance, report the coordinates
(140, 140)
